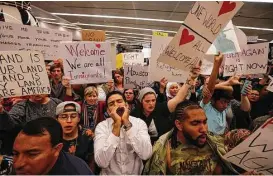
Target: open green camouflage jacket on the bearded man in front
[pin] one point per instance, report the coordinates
(157, 164)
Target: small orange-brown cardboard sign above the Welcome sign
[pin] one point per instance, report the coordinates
(93, 35)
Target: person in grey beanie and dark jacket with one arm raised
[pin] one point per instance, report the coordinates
(156, 115)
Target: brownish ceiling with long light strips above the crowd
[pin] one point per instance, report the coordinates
(128, 21)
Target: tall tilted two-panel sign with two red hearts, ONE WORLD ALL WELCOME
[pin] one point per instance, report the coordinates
(201, 27)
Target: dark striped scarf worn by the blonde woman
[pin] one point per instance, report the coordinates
(89, 115)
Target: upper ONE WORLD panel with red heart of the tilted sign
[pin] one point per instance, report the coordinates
(209, 18)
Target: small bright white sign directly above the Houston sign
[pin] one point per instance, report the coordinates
(133, 58)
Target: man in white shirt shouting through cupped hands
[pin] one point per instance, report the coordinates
(121, 141)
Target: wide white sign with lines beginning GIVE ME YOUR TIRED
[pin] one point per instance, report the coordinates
(24, 37)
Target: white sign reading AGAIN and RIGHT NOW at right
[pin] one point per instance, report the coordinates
(252, 60)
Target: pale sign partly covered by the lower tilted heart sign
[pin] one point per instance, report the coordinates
(158, 70)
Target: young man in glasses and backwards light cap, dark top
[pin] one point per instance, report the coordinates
(77, 140)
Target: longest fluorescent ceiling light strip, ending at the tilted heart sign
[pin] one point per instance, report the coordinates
(117, 17)
